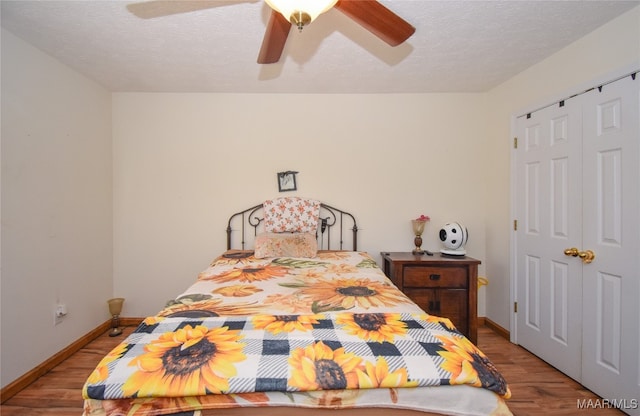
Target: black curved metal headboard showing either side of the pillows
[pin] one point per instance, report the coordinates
(249, 223)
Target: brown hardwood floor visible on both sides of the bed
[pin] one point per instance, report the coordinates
(536, 387)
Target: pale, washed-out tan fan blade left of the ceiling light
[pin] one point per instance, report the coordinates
(159, 8)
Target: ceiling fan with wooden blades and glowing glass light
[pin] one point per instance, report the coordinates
(370, 14)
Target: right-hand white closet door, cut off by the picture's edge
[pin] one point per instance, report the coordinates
(611, 191)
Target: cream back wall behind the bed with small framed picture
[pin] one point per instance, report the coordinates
(183, 163)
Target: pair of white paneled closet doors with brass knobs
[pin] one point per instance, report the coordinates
(578, 186)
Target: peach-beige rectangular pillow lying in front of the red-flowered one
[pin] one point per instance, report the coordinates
(285, 245)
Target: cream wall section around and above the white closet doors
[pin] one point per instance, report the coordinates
(610, 50)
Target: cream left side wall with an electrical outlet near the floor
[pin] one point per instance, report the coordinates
(56, 206)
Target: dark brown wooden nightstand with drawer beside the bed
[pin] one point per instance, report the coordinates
(441, 285)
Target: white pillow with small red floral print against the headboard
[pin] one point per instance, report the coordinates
(291, 214)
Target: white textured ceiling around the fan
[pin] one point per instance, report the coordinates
(459, 46)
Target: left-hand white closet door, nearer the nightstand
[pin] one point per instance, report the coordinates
(548, 209)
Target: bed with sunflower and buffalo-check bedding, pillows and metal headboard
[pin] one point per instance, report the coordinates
(293, 319)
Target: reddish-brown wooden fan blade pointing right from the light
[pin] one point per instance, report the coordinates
(377, 19)
